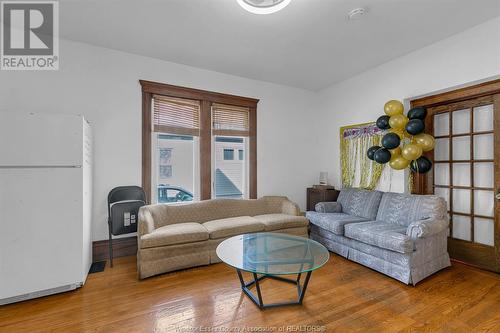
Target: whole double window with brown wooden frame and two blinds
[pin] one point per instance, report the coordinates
(182, 134)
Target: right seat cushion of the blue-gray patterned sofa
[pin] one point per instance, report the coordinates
(384, 235)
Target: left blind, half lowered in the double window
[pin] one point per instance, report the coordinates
(176, 115)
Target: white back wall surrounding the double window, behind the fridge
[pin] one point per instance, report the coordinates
(103, 85)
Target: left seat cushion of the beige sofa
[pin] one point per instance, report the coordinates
(175, 234)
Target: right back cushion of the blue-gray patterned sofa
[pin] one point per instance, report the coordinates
(402, 209)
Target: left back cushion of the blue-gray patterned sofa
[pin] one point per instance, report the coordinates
(360, 202)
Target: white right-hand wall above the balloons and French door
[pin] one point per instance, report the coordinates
(470, 56)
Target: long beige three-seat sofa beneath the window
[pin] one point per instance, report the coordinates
(172, 237)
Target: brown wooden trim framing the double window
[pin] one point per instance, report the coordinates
(206, 98)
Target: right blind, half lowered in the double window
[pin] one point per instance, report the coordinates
(230, 120)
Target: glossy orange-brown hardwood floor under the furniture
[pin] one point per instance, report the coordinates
(342, 297)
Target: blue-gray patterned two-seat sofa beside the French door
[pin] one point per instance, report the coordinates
(403, 236)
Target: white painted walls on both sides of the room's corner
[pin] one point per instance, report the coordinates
(297, 129)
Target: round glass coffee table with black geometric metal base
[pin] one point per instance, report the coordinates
(271, 255)
